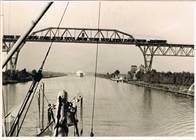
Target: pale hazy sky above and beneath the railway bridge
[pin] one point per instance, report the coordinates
(172, 21)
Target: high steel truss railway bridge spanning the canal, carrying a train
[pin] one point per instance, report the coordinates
(149, 48)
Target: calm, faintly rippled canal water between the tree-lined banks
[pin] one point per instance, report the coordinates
(120, 109)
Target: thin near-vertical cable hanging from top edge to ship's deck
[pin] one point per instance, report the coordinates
(95, 75)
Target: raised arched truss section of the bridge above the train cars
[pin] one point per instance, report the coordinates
(80, 34)
